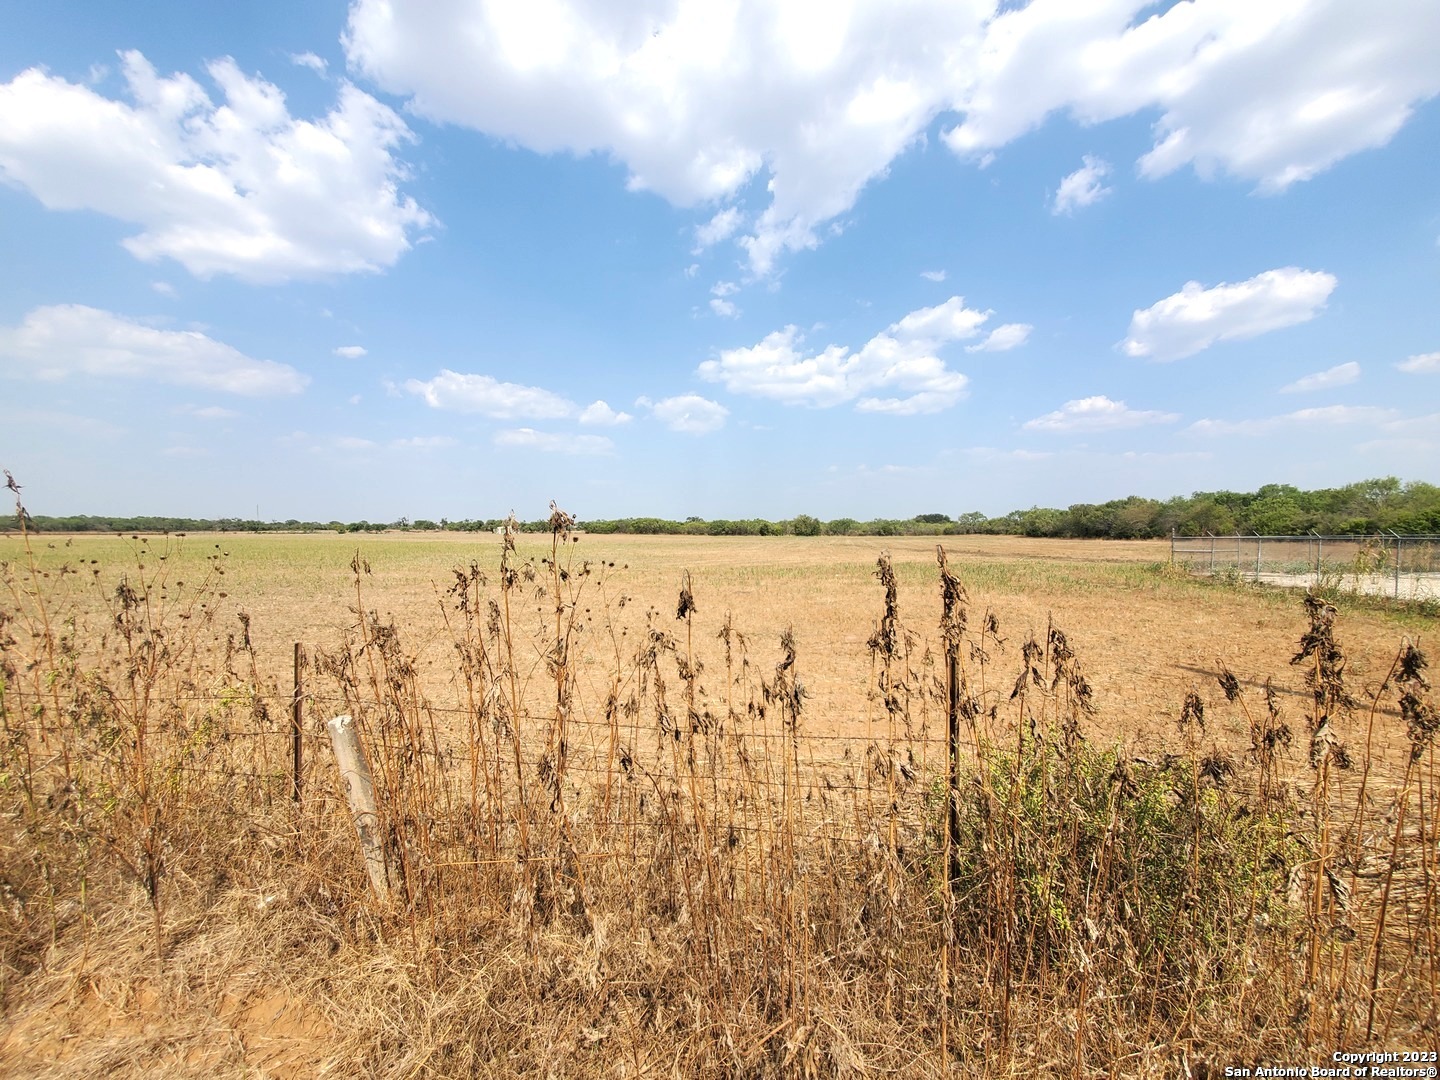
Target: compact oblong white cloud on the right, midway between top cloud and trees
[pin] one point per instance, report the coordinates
(1196, 318)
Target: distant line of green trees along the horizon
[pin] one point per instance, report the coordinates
(1275, 510)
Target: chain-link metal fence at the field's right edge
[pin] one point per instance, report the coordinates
(1400, 565)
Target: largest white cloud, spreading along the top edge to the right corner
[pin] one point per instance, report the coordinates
(702, 100)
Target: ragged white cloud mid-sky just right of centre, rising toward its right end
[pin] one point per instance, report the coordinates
(895, 372)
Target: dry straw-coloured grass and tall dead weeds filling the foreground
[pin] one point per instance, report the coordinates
(675, 876)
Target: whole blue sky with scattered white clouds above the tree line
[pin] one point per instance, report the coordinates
(732, 260)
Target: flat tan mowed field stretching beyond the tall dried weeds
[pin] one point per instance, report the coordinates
(1146, 637)
